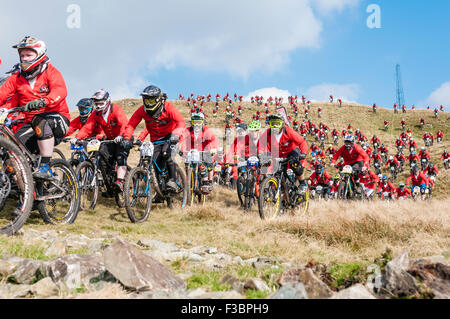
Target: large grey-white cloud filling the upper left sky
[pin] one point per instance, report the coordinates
(121, 41)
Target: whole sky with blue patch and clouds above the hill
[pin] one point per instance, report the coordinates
(311, 47)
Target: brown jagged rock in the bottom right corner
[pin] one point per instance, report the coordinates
(435, 276)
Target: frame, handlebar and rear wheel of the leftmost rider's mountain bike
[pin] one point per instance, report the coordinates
(56, 198)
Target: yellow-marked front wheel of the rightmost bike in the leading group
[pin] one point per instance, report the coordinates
(269, 203)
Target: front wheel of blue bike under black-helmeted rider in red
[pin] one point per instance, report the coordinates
(138, 195)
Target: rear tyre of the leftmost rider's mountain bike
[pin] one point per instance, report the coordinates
(70, 178)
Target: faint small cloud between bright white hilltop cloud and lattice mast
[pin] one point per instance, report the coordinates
(346, 92)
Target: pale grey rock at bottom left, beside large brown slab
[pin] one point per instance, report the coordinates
(73, 271)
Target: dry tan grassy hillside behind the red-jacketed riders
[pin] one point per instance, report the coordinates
(359, 116)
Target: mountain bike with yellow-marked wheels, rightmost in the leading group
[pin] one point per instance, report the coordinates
(280, 192)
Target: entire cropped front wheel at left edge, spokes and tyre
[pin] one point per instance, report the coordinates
(16, 188)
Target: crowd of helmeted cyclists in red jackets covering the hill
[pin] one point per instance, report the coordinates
(45, 122)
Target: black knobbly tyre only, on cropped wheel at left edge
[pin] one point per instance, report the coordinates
(20, 162)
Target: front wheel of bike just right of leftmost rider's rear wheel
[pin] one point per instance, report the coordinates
(87, 184)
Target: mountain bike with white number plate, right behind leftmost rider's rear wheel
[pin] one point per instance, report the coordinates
(96, 173)
